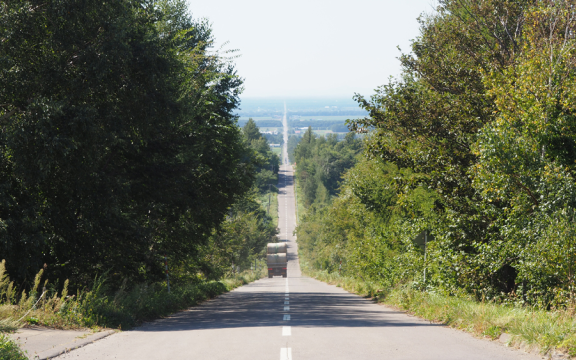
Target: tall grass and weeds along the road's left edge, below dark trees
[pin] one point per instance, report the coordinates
(101, 306)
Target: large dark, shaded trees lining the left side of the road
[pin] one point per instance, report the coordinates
(119, 144)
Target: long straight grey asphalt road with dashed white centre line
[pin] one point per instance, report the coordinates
(294, 318)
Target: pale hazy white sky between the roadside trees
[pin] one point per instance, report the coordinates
(319, 48)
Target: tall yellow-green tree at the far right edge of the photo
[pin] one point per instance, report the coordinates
(527, 157)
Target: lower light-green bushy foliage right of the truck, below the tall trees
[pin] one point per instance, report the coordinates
(368, 229)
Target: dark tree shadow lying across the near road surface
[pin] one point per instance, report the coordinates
(264, 308)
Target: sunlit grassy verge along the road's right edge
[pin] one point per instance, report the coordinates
(528, 328)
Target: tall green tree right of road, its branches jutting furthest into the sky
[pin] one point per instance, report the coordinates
(428, 121)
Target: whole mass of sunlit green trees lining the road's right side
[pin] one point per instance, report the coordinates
(474, 144)
